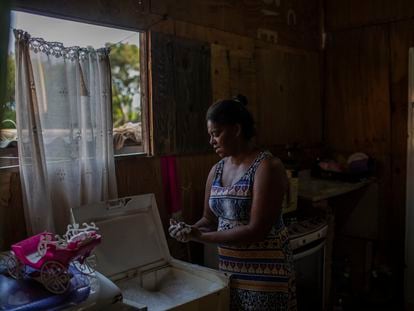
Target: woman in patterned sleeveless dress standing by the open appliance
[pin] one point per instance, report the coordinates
(242, 213)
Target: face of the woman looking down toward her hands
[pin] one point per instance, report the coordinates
(223, 138)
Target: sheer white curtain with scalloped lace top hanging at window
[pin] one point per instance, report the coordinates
(64, 120)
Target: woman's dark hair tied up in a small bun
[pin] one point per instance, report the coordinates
(233, 111)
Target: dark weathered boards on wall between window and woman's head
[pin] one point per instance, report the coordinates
(181, 94)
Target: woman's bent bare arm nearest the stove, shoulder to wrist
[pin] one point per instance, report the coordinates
(269, 187)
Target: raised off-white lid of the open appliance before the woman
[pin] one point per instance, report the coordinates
(133, 238)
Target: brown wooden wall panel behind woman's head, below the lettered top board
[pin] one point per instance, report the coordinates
(282, 84)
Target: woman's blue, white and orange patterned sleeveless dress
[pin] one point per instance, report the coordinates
(262, 274)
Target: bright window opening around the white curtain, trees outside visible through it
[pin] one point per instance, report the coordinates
(126, 72)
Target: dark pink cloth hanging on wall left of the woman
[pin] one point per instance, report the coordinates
(170, 184)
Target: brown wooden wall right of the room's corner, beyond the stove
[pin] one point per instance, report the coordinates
(366, 99)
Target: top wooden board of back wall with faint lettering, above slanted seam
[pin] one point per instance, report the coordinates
(288, 22)
